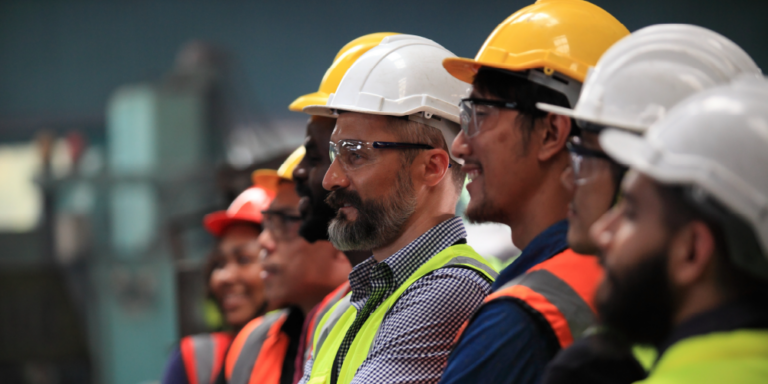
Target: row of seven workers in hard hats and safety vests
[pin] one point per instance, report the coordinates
(630, 168)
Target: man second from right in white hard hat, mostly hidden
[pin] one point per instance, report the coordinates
(632, 86)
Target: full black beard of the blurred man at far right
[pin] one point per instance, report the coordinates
(640, 305)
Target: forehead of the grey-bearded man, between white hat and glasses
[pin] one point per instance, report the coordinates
(365, 127)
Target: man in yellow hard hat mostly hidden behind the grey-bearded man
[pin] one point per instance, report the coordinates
(308, 175)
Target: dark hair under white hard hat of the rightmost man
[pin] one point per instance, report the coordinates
(680, 208)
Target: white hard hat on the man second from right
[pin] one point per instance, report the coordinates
(639, 78)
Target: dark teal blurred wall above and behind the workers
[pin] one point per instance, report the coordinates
(64, 58)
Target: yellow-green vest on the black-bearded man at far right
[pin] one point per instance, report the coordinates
(735, 357)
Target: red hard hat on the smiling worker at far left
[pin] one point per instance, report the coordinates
(246, 207)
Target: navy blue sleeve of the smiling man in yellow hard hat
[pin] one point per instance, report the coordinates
(503, 344)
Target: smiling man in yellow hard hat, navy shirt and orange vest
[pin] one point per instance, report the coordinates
(515, 155)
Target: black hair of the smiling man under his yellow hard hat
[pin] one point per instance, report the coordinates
(516, 88)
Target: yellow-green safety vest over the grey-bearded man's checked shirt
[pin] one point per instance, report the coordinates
(334, 325)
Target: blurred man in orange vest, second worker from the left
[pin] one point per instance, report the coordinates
(297, 276)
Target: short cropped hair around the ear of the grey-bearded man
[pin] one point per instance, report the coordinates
(414, 132)
